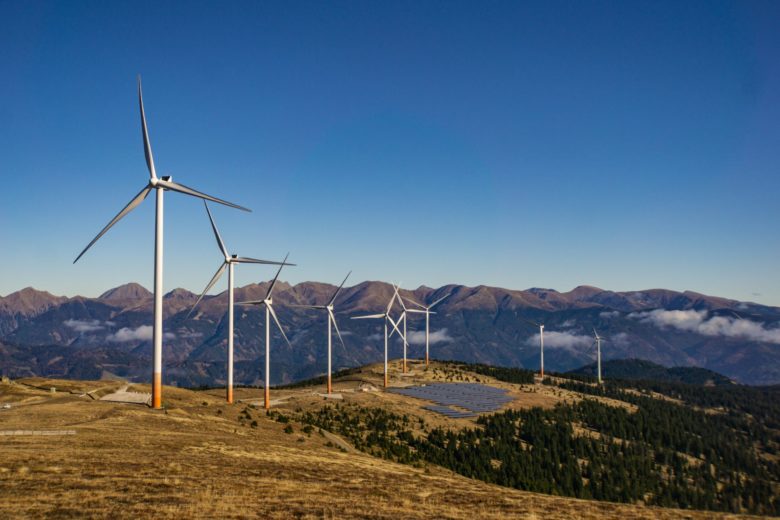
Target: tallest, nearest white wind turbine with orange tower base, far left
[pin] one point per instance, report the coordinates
(160, 185)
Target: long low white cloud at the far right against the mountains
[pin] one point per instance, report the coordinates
(698, 322)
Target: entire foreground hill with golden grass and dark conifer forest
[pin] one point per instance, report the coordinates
(370, 455)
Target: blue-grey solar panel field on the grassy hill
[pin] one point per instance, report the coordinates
(472, 397)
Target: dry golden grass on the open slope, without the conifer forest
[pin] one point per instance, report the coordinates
(197, 460)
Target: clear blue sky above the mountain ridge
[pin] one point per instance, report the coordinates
(627, 145)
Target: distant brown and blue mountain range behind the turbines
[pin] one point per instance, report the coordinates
(110, 336)
